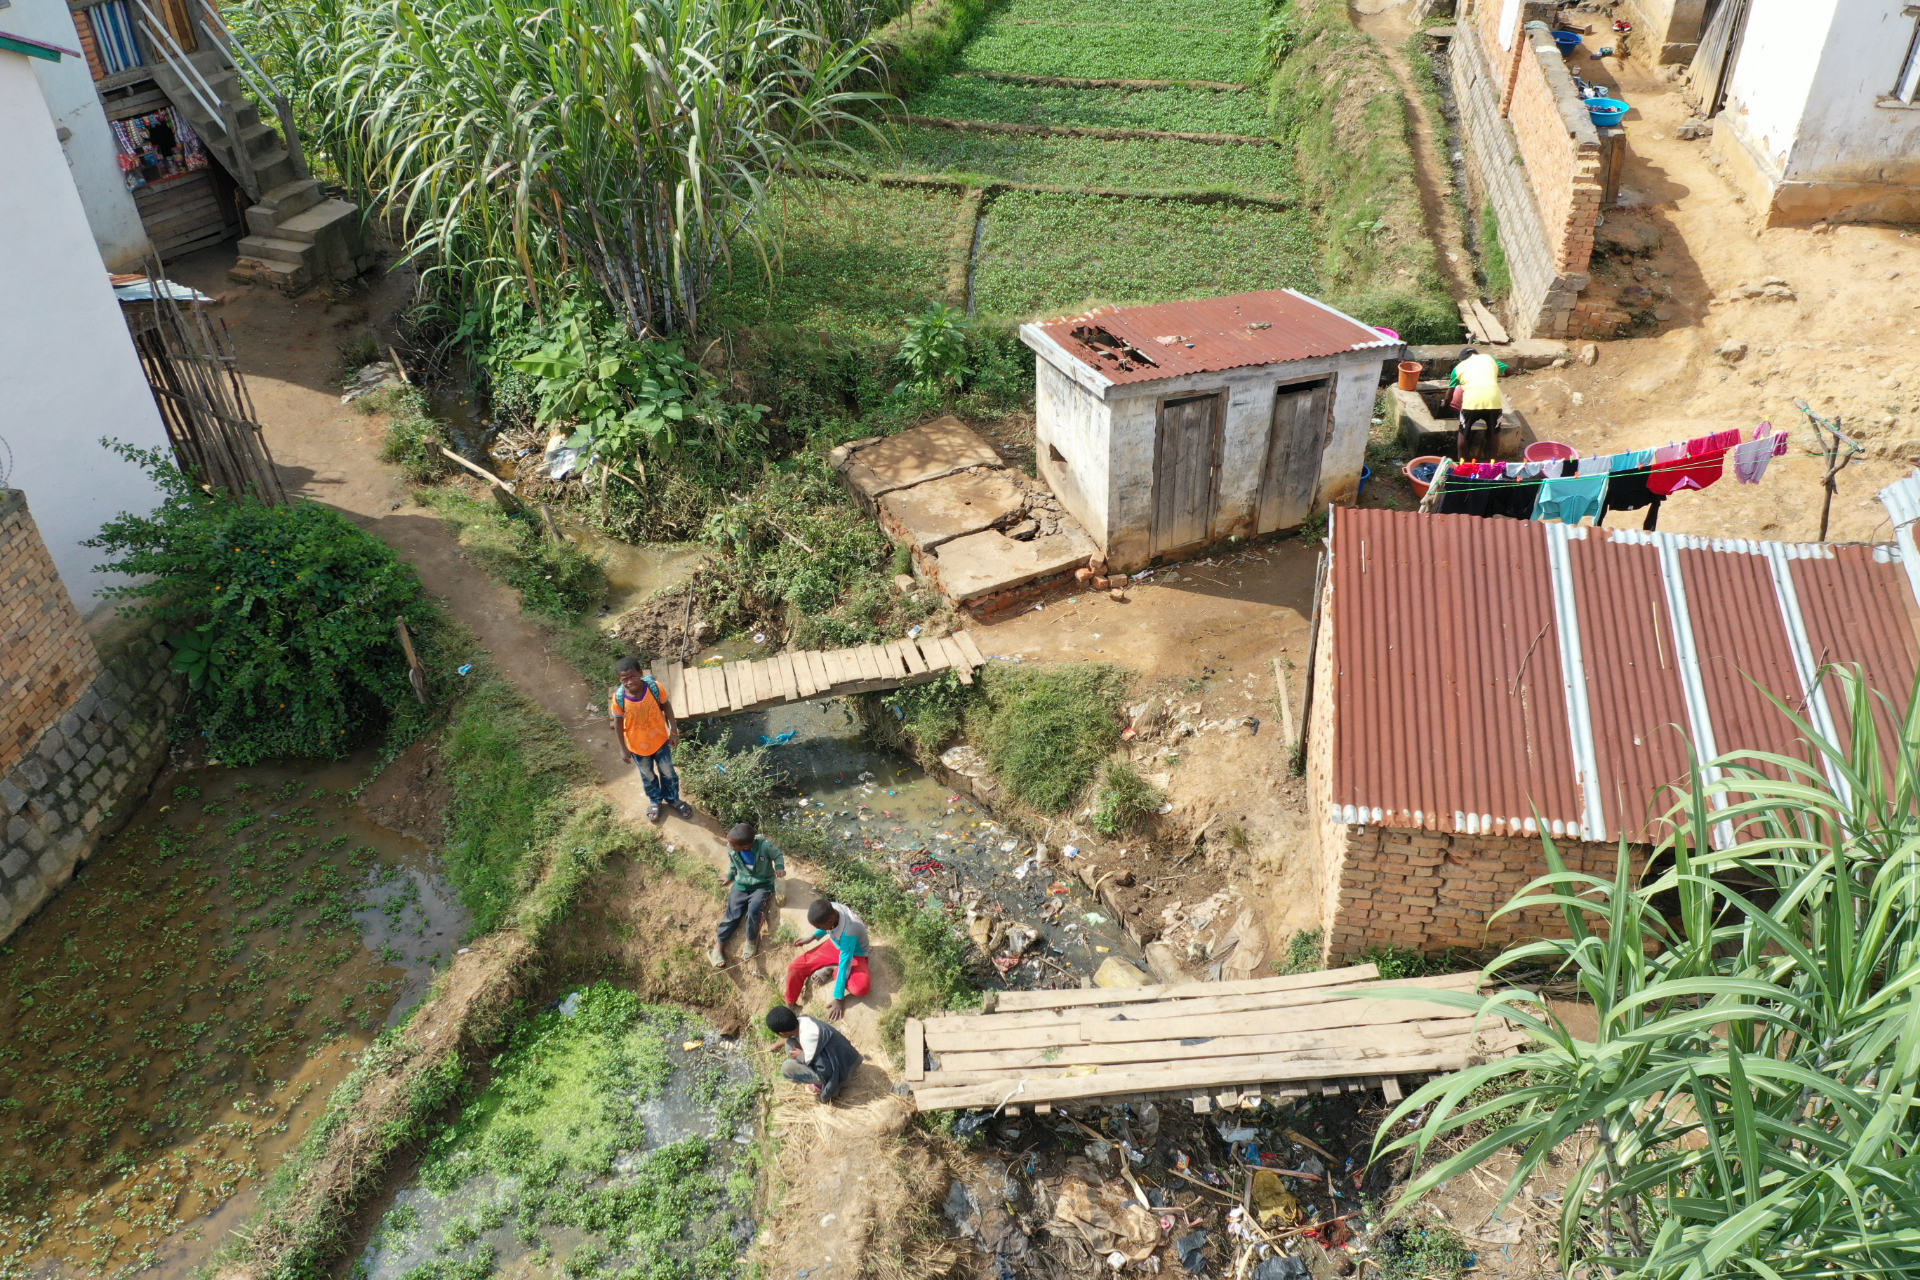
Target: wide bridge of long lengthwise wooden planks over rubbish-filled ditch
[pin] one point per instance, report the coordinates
(1211, 1043)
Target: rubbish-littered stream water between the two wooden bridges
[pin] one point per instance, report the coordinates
(890, 811)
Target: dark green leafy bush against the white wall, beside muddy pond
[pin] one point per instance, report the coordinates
(285, 617)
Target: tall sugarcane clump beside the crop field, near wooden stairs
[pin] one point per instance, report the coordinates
(627, 141)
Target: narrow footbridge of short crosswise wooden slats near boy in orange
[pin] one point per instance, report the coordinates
(752, 686)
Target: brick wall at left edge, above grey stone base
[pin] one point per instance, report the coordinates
(47, 657)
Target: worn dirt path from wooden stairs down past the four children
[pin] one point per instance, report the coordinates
(327, 452)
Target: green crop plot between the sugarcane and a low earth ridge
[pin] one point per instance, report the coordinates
(857, 262)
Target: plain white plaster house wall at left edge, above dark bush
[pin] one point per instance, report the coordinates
(66, 356)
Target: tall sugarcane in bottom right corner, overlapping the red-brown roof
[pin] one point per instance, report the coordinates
(1746, 1106)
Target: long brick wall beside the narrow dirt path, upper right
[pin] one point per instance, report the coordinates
(1535, 158)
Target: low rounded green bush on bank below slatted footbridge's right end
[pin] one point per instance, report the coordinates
(1049, 728)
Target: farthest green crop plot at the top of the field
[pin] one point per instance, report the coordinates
(1115, 51)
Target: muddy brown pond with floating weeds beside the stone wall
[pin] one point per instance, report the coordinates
(178, 1018)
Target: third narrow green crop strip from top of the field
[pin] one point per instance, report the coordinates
(1088, 162)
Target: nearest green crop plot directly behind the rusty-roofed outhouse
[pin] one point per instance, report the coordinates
(1053, 254)
